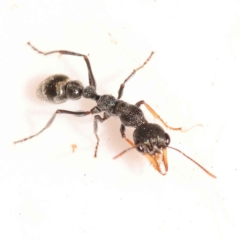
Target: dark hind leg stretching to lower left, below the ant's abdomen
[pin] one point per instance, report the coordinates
(59, 111)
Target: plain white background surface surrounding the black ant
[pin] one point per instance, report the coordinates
(48, 192)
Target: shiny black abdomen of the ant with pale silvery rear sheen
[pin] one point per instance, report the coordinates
(58, 88)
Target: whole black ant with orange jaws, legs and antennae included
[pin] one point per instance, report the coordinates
(149, 139)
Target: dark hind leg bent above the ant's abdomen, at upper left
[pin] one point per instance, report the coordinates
(92, 81)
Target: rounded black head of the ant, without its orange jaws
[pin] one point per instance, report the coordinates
(150, 138)
